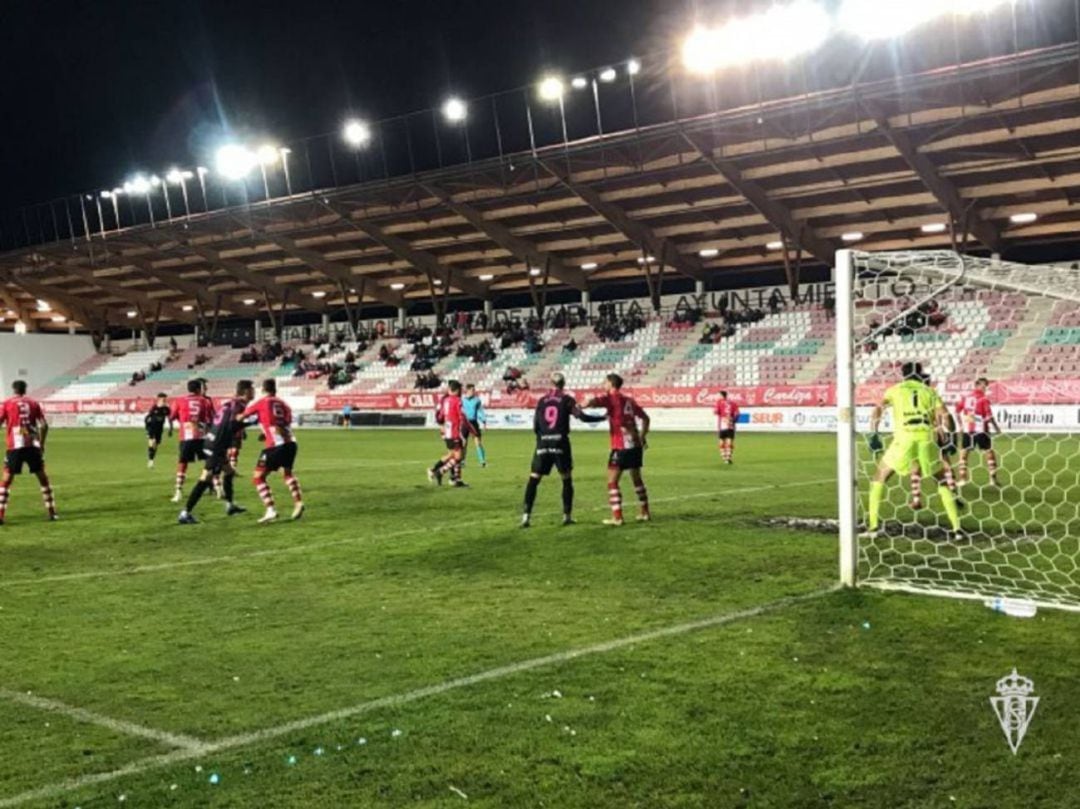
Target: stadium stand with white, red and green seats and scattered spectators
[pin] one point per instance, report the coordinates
(967, 335)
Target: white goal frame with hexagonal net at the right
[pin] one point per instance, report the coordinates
(963, 320)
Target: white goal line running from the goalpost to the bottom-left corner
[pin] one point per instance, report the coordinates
(244, 740)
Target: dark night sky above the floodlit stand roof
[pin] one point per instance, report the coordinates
(92, 92)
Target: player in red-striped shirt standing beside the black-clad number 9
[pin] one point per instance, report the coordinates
(628, 448)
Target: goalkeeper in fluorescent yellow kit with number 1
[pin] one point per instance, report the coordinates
(920, 420)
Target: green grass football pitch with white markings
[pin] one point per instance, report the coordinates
(408, 645)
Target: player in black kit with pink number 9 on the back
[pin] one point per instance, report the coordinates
(551, 423)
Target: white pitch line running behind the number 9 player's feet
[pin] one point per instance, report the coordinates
(305, 548)
